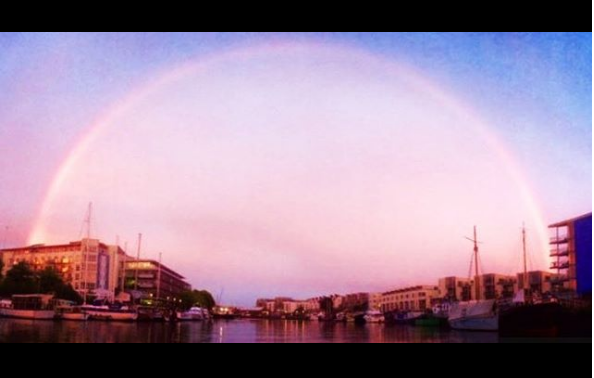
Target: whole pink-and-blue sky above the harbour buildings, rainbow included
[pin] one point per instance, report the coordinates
(297, 164)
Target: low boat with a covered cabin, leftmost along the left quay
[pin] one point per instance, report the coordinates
(30, 307)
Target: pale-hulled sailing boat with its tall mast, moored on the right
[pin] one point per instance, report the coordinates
(477, 315)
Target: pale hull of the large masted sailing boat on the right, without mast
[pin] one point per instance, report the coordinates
(474, 316)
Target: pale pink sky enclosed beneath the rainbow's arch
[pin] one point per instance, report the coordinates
(283, 173)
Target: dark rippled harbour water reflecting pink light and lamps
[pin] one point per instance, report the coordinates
(241, 331)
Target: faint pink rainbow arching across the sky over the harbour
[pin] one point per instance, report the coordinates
(408, 74)
